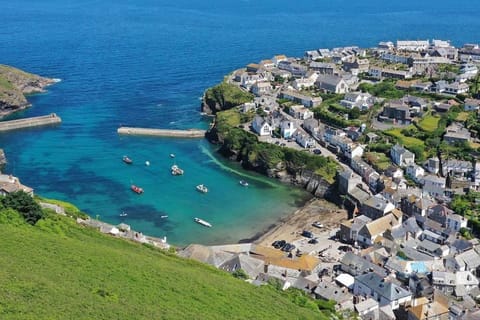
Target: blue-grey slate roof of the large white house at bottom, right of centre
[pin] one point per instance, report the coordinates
(383, 288)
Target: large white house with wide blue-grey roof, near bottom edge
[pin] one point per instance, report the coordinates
(381, 290)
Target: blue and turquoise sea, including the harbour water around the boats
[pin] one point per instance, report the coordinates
(146, 63)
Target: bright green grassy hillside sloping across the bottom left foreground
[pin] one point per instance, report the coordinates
(56, 269)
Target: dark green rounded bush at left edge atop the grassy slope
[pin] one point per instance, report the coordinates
(25, 205)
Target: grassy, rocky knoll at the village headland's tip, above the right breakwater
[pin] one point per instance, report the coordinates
(225, 96)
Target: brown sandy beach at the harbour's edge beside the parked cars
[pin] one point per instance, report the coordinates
(290, 228)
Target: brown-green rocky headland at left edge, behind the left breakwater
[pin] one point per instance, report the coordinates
(14, 84)
